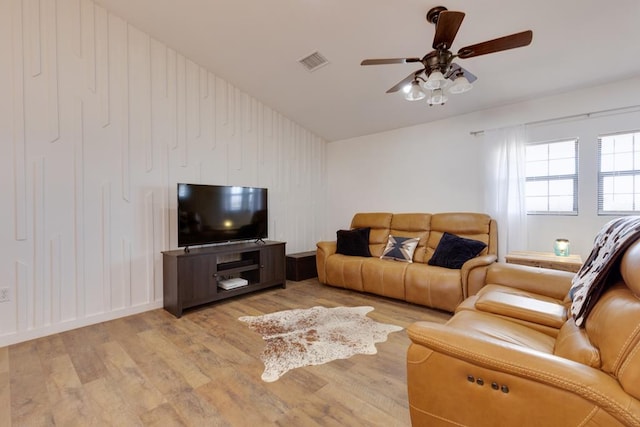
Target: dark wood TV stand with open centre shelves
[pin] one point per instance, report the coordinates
(192, 278)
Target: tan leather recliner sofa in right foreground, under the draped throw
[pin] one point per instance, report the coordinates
(505, 359)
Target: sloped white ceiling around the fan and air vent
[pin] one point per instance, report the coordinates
(255, 45)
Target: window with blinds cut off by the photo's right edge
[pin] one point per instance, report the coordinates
(619, 173)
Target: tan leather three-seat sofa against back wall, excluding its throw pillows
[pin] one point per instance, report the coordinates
(416, 282)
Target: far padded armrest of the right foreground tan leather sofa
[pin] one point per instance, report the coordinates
(541, 281)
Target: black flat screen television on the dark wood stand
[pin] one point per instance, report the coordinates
(218, 213)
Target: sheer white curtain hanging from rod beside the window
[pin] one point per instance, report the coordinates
(505, 183)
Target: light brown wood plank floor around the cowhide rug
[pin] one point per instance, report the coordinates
(204, 370)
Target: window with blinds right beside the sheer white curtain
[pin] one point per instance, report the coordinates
(552, 177)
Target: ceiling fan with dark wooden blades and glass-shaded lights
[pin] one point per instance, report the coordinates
(438, 71)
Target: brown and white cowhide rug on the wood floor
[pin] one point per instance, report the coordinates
(314, 336)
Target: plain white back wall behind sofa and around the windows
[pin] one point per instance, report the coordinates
(438, 167)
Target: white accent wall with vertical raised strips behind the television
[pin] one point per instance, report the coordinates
(98, 122)
